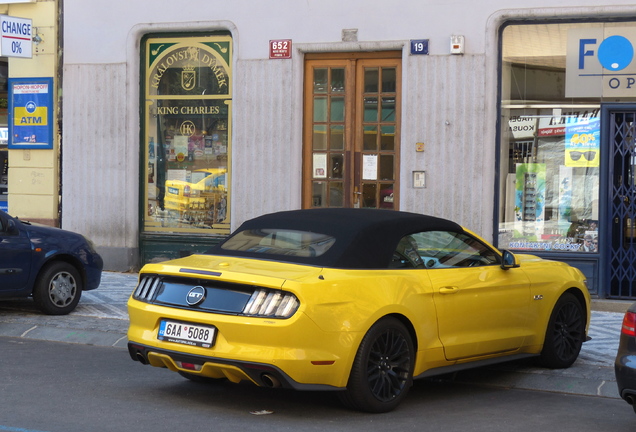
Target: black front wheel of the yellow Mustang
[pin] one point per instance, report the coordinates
(565, 333)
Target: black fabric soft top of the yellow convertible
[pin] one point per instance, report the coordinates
(365, 238)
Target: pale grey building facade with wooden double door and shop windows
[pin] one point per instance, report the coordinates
(180, 123)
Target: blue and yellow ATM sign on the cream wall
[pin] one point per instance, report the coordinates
(30, 113)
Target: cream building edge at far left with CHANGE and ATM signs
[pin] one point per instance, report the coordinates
(30, 158)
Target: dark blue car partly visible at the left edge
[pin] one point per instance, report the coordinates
(49, 264)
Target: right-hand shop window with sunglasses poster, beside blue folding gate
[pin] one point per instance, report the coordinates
(550, 147)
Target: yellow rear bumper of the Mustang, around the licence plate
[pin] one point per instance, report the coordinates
(301, 354)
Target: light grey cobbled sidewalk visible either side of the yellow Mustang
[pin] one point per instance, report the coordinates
(101, 319)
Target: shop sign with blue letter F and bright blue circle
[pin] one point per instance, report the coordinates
(601, 62)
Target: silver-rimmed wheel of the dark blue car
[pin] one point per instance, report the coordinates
(58, 288)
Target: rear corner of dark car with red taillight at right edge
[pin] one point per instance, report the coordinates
(625, 365)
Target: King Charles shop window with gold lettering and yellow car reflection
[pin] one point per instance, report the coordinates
(187, 134)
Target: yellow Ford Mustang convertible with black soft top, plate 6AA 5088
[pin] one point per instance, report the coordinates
(358, 301)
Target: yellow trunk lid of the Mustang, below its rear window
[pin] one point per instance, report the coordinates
(241, 270)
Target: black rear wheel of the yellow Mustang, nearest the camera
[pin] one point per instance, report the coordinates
(382, 372)
